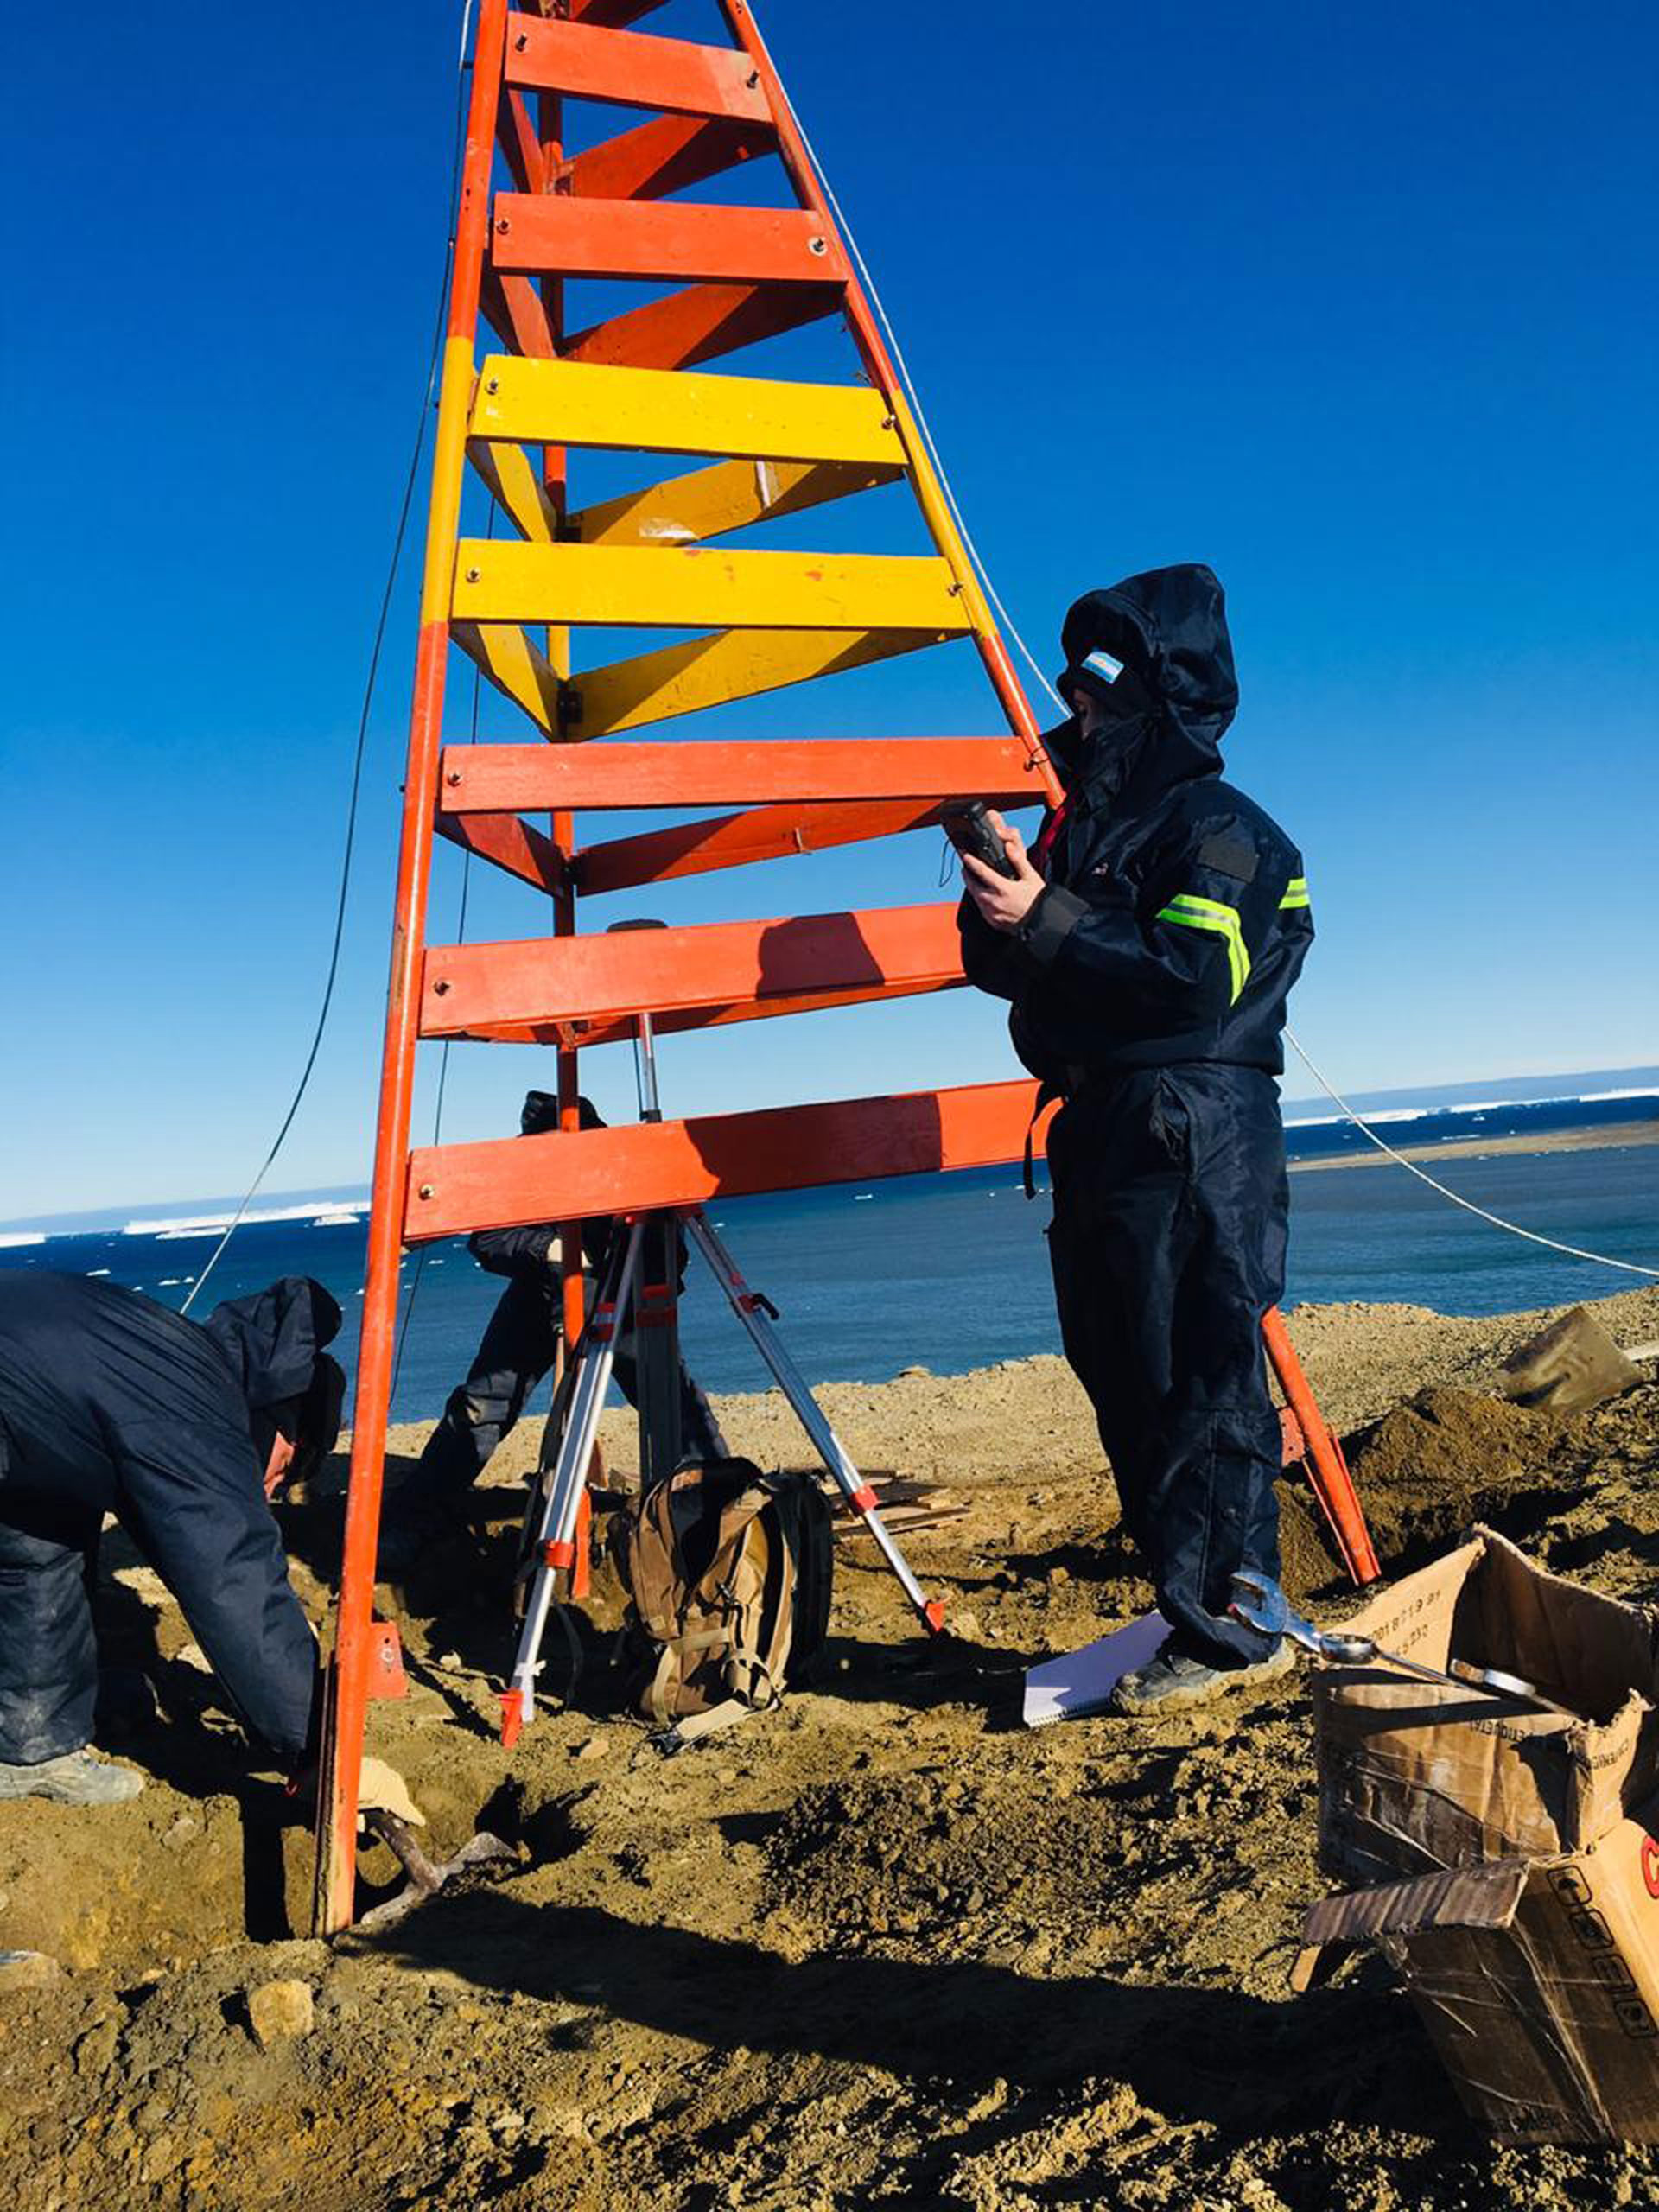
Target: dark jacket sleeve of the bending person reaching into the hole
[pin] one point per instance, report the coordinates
(194, 1499)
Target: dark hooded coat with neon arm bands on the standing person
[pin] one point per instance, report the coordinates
(1176, 917)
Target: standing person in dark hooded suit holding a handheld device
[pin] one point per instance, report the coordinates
(1147, 946)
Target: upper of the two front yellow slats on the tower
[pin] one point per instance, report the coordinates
(680, 413)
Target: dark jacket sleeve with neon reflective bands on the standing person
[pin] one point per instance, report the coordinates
(1180, 950)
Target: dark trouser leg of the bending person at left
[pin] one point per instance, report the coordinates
(48, 1647)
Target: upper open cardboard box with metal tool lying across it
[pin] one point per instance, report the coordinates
(1417, 1780)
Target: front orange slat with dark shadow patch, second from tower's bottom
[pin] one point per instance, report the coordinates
(601, 979)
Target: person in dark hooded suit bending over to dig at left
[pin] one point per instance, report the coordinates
(112, 1404)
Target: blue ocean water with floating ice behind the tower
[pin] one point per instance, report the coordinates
(952, 1271)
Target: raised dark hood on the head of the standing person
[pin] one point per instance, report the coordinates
(1169, 632)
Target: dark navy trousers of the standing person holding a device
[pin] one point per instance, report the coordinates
(1169, 1246)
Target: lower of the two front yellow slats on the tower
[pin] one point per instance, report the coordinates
(705, 589)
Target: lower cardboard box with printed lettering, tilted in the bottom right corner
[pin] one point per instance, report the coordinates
(1538, 1983)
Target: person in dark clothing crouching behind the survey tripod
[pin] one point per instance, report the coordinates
(517, 1350)
